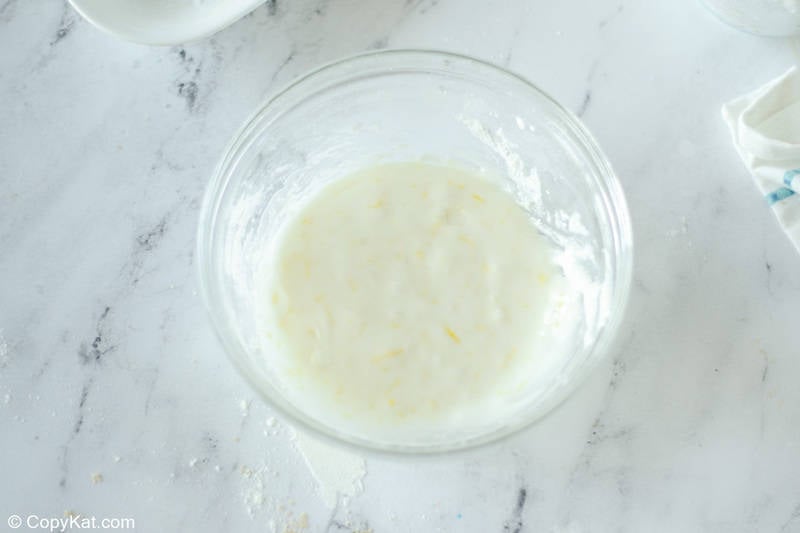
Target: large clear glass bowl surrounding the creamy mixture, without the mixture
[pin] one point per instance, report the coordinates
(407, 105)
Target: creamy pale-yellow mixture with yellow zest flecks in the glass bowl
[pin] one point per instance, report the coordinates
(411, 292)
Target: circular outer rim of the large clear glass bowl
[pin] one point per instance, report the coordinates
(609, 190)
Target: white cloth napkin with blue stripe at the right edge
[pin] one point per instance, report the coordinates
(765, 125)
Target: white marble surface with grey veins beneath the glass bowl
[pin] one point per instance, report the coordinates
(108, 365)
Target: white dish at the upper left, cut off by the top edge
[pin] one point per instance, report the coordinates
(163, 22)
